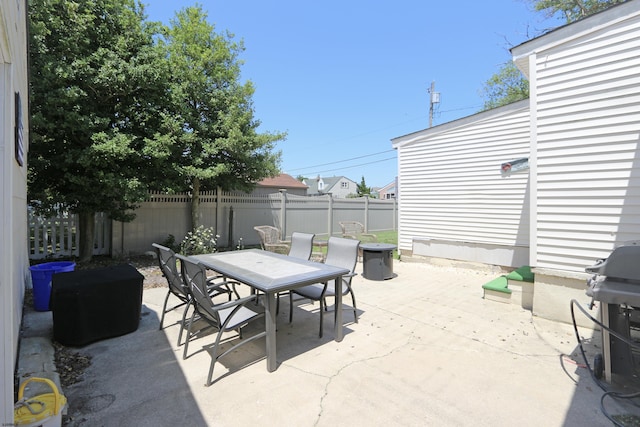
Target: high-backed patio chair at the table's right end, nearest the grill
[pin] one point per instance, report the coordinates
(340, 253)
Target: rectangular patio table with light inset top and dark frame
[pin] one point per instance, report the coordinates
(271, 273)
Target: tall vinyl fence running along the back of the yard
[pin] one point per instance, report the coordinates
(232, 215)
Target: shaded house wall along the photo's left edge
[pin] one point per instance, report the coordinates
(14, 145)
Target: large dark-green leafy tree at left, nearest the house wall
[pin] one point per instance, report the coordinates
(96, 81)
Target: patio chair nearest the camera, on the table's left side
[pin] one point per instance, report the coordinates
(225, 317)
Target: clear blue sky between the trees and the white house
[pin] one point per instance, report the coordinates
(343, 78)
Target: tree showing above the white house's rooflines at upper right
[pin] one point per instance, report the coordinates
(508, 84)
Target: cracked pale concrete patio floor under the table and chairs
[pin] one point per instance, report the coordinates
(427, 350)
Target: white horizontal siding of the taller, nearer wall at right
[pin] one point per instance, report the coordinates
(588, 129)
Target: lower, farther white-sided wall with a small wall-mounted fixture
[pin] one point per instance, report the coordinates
(454, 202)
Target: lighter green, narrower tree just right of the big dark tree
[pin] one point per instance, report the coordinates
(212, 134)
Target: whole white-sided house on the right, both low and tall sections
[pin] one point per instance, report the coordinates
(582, 134)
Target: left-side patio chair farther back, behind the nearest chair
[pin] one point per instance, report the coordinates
(168, 266)
